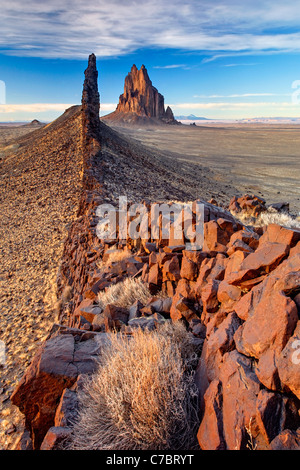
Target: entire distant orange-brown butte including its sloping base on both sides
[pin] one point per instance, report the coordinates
(141, 102)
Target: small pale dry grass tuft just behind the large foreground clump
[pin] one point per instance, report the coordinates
(125, 293)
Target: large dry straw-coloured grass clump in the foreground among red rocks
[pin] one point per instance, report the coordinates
(143, 395)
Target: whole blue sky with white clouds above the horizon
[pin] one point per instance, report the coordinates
(221, 59)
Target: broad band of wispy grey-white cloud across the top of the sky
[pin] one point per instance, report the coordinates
(74, 28)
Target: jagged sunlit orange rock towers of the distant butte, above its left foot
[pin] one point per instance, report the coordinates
(142, 98)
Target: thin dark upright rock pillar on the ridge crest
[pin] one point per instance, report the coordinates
(91, 100)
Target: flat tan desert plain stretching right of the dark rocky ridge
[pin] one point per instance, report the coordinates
(260, 159)
